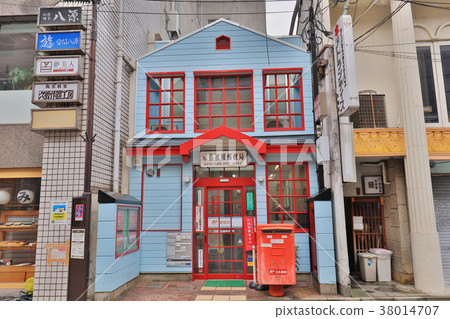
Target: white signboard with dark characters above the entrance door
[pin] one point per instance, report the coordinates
(223, 159)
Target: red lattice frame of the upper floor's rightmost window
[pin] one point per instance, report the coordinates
(289, 115)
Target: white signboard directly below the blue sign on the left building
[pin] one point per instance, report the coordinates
(58, 66)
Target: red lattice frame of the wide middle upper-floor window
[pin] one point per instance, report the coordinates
(224, 116)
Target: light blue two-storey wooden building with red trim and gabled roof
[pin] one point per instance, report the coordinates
(224, 136)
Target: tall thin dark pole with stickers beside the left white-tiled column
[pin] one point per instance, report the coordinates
(79, 266)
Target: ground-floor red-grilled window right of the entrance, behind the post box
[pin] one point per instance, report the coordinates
(287, 191)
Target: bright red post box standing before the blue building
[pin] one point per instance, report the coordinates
(276, 257)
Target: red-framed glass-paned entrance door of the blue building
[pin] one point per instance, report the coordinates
(224, 233)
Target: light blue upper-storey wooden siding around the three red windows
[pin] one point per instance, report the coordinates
(249, 51)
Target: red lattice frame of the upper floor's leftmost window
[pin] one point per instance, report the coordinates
(160, 104)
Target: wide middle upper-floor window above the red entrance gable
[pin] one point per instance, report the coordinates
(223, 100)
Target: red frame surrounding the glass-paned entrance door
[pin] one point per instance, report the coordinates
(218, 183)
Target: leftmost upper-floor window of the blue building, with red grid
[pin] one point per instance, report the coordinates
(165, 111)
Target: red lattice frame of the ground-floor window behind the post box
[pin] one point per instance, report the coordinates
(291, 212)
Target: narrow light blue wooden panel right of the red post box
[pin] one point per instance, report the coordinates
(326, 264)
